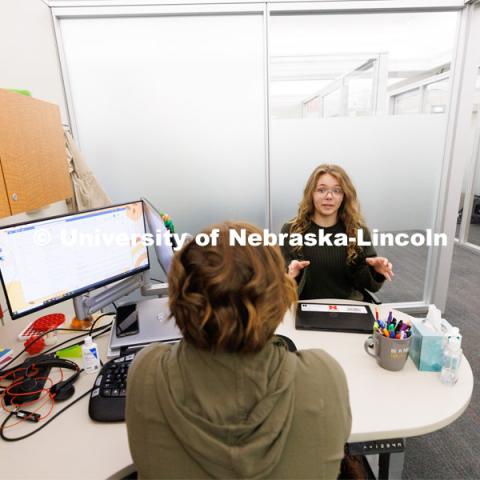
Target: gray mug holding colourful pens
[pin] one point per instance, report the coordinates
(390, 353)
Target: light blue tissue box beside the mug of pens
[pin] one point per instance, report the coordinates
(426, 349)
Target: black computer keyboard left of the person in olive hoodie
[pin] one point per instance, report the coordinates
(107, 400)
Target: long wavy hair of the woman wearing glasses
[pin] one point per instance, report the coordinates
(349, 212)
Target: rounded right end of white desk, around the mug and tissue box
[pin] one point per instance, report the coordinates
(425, 403)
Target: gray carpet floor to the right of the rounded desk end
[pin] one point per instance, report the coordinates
(454, 452)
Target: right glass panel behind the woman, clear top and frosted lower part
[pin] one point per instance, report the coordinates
(395, 161)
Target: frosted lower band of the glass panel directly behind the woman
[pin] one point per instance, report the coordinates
(394, 161)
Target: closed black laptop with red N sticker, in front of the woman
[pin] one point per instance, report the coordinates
(334, 318)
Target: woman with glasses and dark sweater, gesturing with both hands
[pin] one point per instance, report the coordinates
(332, 271)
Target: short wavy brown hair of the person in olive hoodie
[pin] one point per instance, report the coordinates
(229, 298)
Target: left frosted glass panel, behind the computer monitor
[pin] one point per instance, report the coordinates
(172, 108)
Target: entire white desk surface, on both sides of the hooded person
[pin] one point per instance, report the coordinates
(73, 446)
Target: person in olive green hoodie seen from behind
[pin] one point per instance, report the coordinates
(230, 400)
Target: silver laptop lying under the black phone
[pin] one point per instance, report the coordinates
(154, 325)
